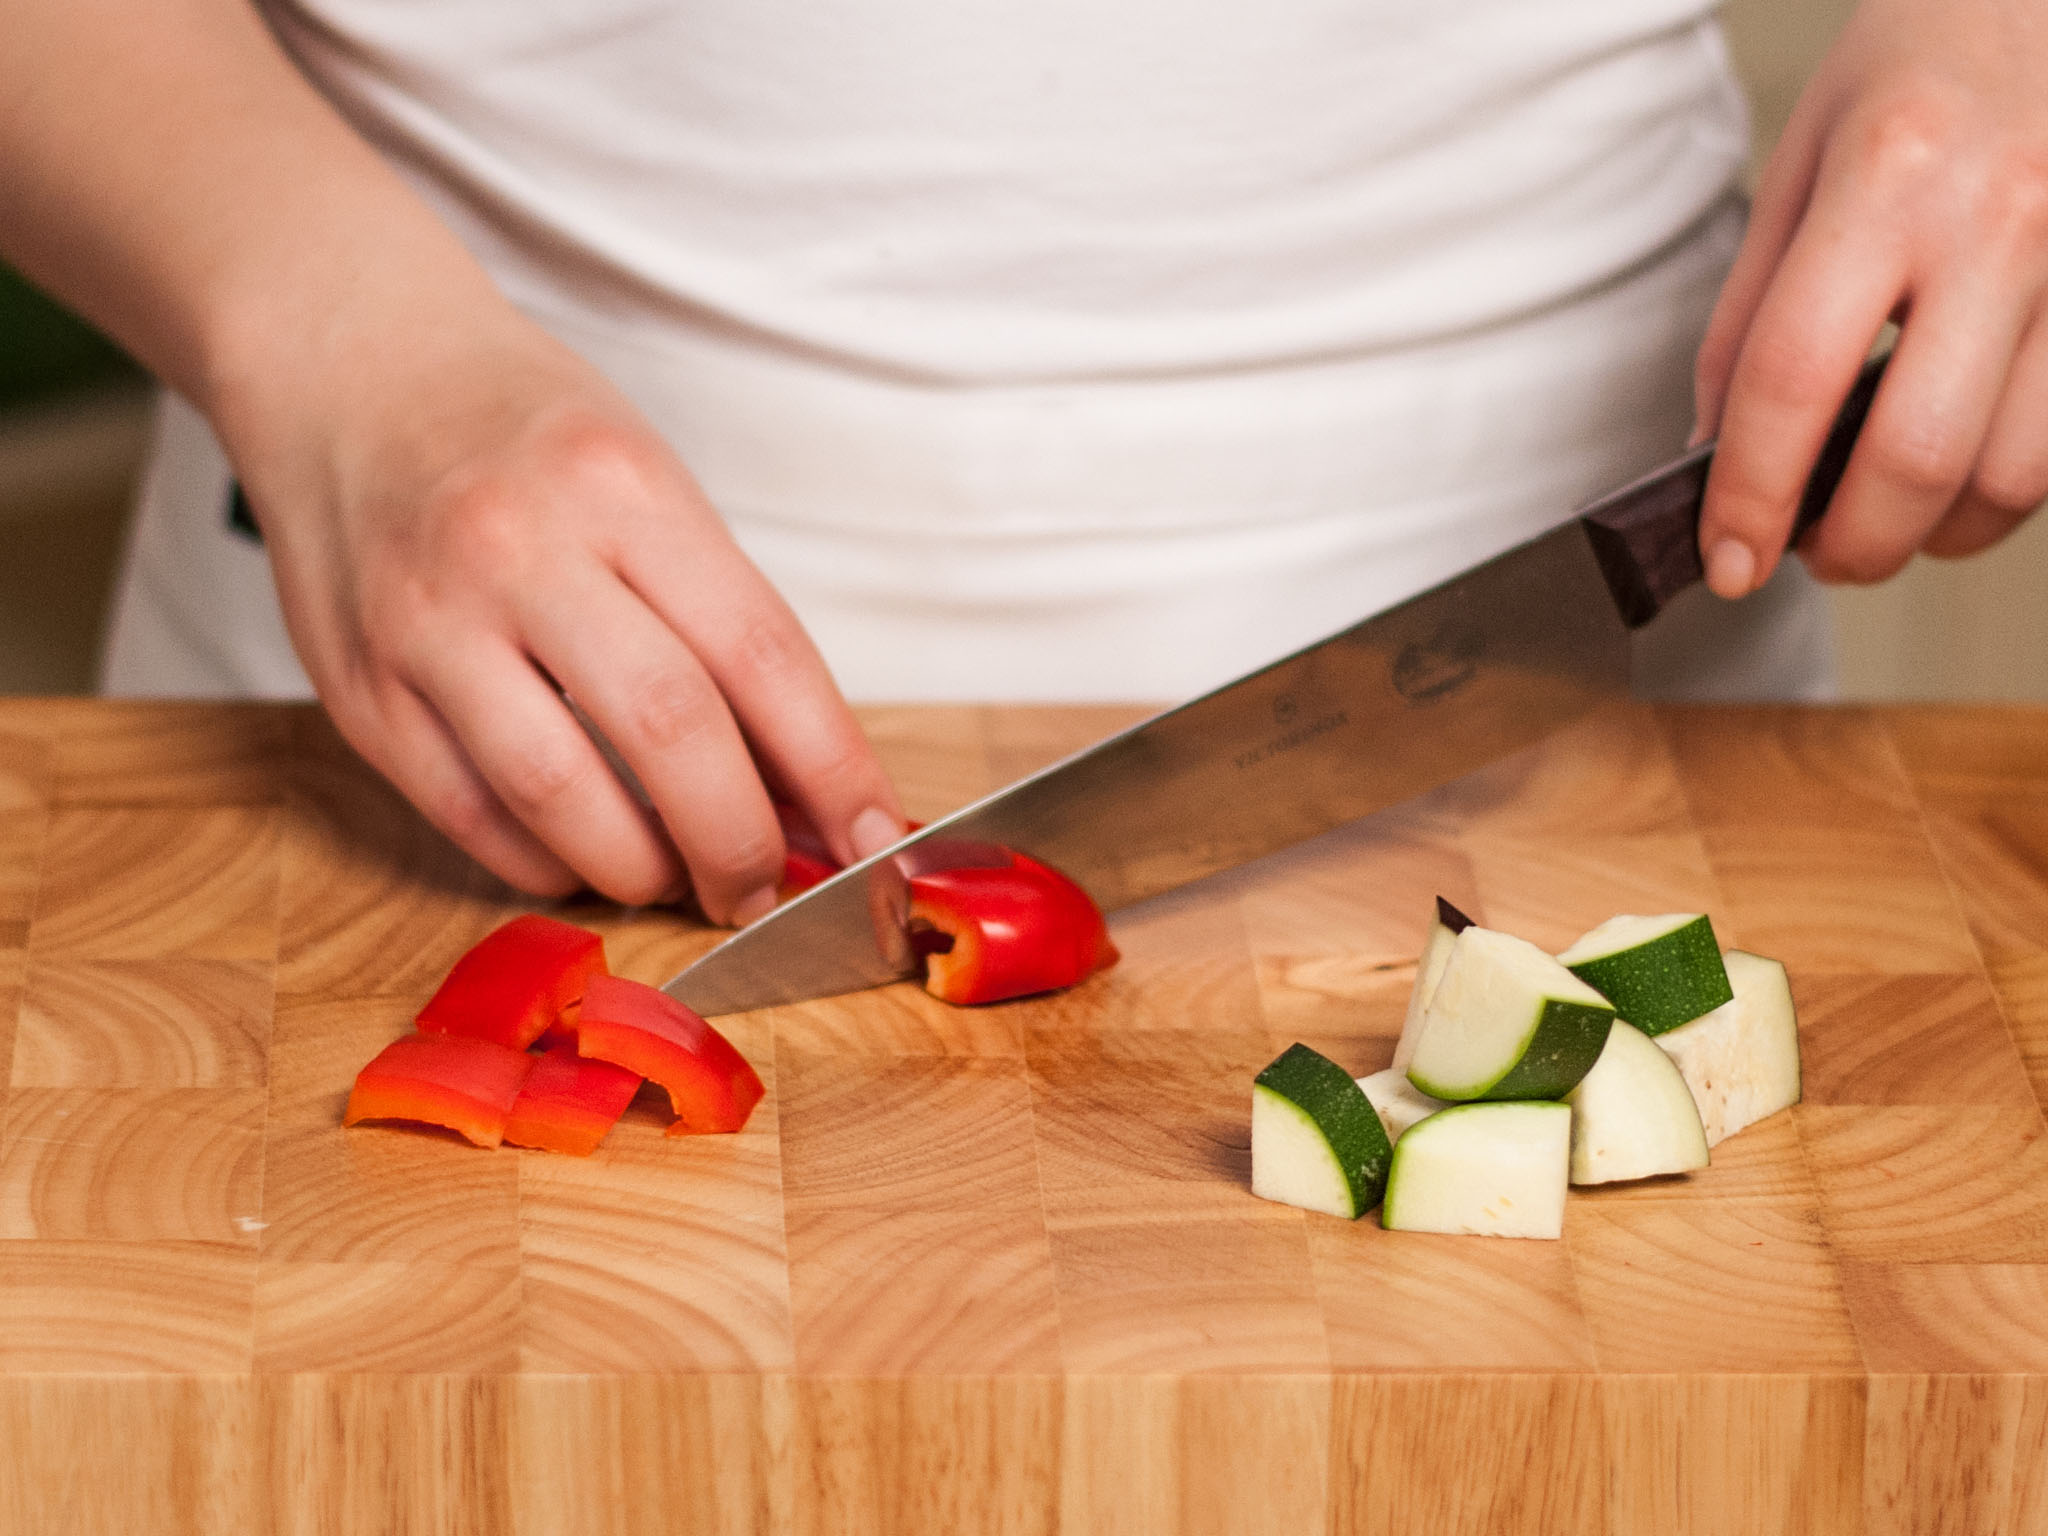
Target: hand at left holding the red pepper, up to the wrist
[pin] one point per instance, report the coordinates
(476, 513)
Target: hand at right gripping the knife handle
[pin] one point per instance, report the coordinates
(1912, 185)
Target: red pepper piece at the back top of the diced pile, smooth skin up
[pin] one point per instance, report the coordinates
(515, 982)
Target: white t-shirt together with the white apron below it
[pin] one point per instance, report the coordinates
(1078, 349)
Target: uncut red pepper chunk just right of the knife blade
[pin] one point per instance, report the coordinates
(990, 935)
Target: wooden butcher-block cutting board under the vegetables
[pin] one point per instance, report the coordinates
(998, 1271)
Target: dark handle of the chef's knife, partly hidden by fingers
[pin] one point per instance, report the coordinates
(1648, 536)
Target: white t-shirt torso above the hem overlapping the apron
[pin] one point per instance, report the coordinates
(1066, 189)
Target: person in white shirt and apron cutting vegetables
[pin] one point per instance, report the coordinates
(703, 361)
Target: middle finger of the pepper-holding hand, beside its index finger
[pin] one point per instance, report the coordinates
(667, 718)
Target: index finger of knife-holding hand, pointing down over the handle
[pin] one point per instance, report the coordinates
(1826, 304)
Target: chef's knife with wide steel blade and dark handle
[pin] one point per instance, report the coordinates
(1400, 703)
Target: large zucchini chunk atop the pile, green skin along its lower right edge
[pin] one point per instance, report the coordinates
(1508, 1021)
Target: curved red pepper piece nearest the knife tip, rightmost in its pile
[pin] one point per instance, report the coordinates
(646, 1031)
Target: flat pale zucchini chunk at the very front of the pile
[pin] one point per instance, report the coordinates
(1490, 1170)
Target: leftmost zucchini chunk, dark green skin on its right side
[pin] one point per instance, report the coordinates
(1316, 1138)
